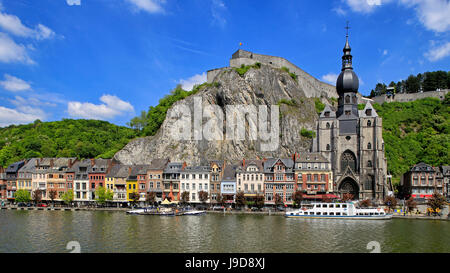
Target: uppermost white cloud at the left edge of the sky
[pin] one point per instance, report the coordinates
(13, 25)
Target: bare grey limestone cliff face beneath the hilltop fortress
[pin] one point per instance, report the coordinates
(258, 86)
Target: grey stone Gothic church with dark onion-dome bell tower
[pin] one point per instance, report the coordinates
(352, 141)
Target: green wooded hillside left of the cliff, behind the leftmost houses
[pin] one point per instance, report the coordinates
(66, 138)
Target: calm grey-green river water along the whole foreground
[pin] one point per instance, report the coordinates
(101, 231)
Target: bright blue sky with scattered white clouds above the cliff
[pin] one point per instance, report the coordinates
(110, 59)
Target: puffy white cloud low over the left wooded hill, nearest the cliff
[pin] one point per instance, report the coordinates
(112, 106)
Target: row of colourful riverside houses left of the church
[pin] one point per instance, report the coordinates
(309, 172)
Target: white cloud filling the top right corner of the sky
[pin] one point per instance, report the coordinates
(434, 14)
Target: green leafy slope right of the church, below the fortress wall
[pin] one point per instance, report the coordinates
(416, 131)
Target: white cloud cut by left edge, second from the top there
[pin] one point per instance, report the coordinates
(11, 52)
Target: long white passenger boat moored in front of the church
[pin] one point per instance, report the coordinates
(338, 211)
